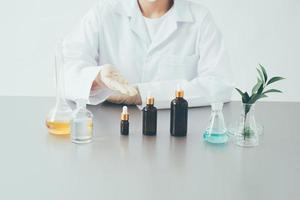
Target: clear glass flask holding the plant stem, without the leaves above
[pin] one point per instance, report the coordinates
(247, 133)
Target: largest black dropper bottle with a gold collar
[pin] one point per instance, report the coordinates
(179, 115)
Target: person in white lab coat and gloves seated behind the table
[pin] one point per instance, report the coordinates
(123, 49)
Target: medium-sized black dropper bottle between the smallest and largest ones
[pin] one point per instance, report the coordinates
(149, 117)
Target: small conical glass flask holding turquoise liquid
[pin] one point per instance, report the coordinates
(216, 131)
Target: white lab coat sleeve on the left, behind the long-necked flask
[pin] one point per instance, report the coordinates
(81, 51)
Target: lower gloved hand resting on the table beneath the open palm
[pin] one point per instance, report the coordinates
(125, 99)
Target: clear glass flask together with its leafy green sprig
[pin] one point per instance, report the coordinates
(247, 133)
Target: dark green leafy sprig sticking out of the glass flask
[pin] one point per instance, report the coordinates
(259, 89)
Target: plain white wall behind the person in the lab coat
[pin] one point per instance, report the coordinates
(256, 31)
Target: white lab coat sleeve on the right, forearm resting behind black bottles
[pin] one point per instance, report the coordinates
(213, 82)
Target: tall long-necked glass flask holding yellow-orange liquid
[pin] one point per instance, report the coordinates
(58, 119)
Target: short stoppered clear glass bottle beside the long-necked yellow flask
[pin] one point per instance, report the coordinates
(82, 124)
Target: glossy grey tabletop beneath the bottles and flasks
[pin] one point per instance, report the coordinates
(37, 165)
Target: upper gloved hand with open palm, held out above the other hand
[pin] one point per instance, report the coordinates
(109, 77)
